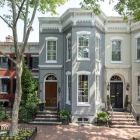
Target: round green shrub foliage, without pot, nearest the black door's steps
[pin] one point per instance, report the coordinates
(102, 116)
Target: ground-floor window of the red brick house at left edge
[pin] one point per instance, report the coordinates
(5, 84)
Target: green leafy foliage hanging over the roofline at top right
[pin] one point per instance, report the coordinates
(129, 9)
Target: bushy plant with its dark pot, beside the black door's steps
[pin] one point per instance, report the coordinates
(102, 118)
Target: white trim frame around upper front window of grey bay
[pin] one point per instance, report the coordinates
(78, 34)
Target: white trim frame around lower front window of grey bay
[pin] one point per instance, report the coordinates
(82, 103)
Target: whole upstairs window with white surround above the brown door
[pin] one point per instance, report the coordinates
(51, 50)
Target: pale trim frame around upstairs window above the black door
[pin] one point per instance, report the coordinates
(119, 39)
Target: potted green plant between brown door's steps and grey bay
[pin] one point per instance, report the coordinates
(64, 116)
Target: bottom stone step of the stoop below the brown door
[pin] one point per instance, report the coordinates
(45, 123)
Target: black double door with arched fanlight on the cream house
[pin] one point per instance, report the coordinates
(116, 91)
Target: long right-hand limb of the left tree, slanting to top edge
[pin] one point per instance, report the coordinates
(29, 29)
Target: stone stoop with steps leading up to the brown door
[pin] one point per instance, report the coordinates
(46, 117)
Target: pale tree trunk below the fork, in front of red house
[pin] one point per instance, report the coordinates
(18, 94)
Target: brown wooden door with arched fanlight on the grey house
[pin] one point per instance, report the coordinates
(51, 90)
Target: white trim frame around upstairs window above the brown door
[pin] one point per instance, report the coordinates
(51, 39)
